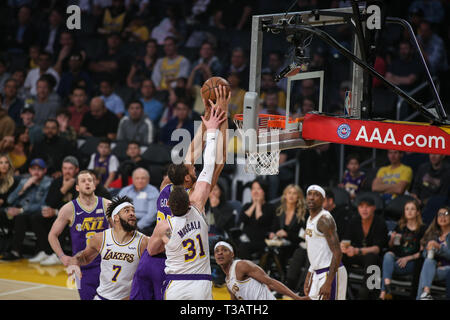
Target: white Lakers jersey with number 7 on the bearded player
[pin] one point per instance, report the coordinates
(118, 265)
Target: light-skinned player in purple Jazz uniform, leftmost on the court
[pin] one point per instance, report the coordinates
(85, 216)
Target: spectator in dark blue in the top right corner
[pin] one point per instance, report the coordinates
(433, 48)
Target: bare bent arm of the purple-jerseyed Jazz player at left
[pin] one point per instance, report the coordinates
(62, 220)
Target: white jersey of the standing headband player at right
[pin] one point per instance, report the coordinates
(319, 253)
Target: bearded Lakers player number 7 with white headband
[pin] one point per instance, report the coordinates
(120, 249)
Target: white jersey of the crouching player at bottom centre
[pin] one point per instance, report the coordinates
(249, 289)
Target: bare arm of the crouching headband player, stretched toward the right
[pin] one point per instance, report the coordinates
(248, 268)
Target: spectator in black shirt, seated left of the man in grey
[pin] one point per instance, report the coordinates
(99, 121)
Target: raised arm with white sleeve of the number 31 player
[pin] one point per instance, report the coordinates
(200, 194)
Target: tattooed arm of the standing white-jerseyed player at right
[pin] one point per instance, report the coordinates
(327, 226)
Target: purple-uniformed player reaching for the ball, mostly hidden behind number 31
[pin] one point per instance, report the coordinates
(149, 277)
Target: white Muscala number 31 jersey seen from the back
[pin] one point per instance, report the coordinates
(188, 248)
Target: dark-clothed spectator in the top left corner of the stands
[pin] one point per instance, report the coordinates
(22, 32)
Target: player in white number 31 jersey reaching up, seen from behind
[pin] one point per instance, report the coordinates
(184, 236)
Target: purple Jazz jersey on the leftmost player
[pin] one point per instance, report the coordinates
(85, 224)
